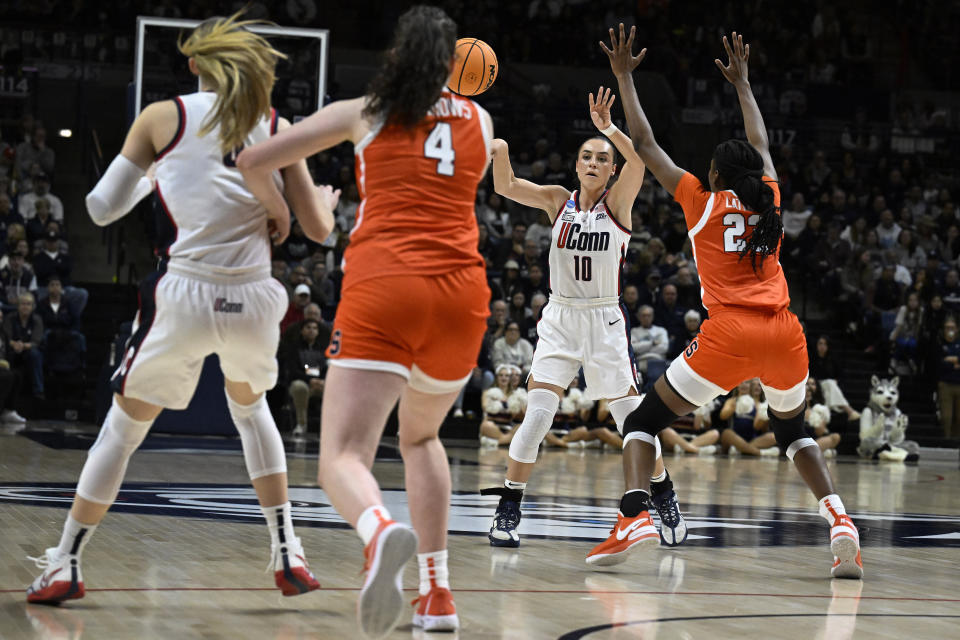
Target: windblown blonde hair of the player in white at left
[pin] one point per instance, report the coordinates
(239, 66)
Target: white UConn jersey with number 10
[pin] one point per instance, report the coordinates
(587, 251)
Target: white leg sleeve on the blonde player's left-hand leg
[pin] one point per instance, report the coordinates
(107, 459)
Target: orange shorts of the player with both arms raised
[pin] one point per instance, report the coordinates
(737, 344)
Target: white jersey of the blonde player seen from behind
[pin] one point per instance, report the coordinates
(213, 219)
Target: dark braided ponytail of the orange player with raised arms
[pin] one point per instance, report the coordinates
(741, 168)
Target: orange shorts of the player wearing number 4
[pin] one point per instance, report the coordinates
(428, 329)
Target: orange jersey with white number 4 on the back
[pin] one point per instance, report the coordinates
(417, 190)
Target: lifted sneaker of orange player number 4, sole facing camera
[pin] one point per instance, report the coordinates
(381, 598)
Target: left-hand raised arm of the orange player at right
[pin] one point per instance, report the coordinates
(623, 62)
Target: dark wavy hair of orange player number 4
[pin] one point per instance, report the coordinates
(415, 67)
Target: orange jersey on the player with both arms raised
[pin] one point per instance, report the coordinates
(718, 226)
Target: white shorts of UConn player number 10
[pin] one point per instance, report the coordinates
(576, 333)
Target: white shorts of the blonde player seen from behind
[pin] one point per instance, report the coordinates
(182, 319)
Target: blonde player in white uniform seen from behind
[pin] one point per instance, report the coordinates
(212, 292)
